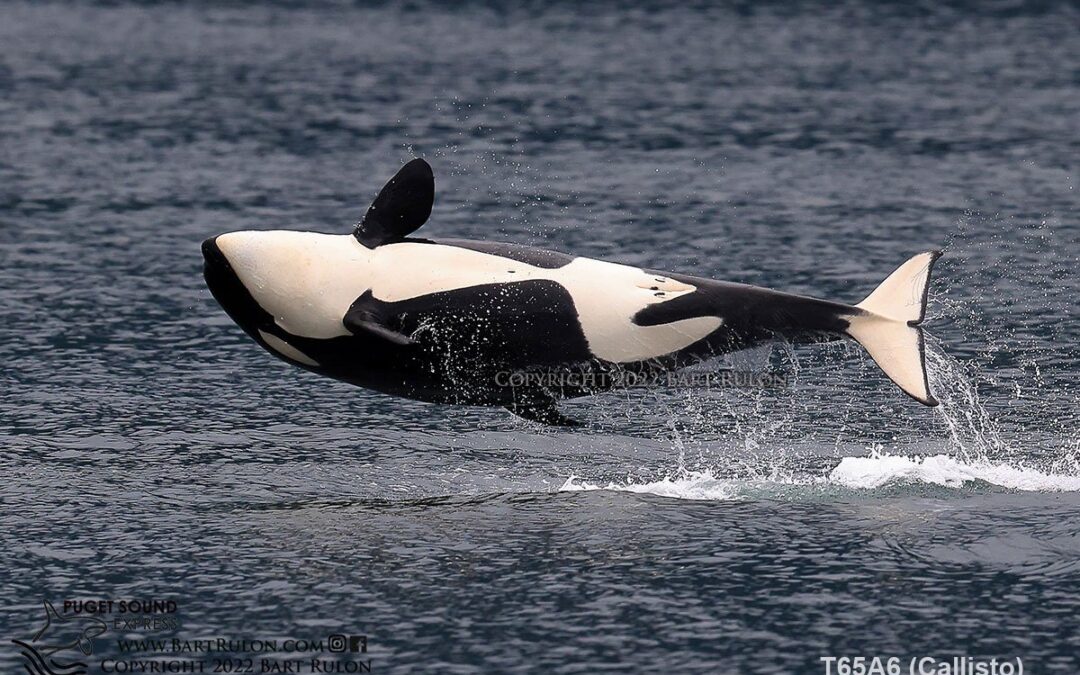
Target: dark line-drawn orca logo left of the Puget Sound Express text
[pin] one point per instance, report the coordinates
(43, 654)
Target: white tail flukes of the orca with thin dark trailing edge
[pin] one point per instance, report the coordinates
(888, 326)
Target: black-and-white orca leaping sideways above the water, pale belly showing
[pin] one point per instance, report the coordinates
(447, 320)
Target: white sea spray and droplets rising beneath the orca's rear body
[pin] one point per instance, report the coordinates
(975, 453)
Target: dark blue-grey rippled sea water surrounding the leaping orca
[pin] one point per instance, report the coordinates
(151, 451)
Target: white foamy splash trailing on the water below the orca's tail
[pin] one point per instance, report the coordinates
(978, 456)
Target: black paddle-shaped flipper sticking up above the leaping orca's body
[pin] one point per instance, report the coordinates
(402, 207)
